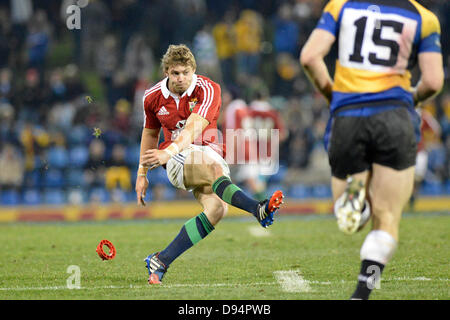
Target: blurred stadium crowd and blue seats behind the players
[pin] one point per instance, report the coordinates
(71, 101)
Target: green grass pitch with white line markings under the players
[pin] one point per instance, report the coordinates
(231, 263)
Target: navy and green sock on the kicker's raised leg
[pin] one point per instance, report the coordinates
(232, 194)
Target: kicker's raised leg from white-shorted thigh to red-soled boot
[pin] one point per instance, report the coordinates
(209, 169)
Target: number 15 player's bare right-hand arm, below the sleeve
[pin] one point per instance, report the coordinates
(432, 76)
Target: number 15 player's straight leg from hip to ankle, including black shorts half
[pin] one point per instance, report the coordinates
(394, 143)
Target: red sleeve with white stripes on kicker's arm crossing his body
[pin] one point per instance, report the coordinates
(210, 100)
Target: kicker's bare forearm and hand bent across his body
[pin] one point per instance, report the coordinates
(195, 125)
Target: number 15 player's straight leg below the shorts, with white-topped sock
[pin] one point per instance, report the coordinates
(390, 192)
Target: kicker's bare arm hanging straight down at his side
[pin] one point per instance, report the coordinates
(149, 140)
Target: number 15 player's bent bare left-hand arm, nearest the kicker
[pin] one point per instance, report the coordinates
(312, 61)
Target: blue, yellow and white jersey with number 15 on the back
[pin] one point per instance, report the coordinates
(378, 44)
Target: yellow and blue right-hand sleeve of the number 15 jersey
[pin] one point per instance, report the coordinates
(431, 34)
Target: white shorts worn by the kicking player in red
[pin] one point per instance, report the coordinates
(175, 166)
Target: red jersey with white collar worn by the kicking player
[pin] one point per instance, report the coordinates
(163, 109)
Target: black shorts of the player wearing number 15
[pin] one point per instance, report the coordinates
(387, 138)
